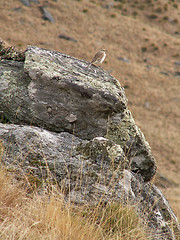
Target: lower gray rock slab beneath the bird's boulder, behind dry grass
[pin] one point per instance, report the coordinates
(88, 172)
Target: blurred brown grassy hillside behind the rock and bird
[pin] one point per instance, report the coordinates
(143, 42)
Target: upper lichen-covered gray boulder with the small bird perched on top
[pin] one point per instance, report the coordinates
(60, 93)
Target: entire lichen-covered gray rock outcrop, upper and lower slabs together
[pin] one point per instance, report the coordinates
(84, 133)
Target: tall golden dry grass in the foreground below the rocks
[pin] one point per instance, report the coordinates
(47, 216)
